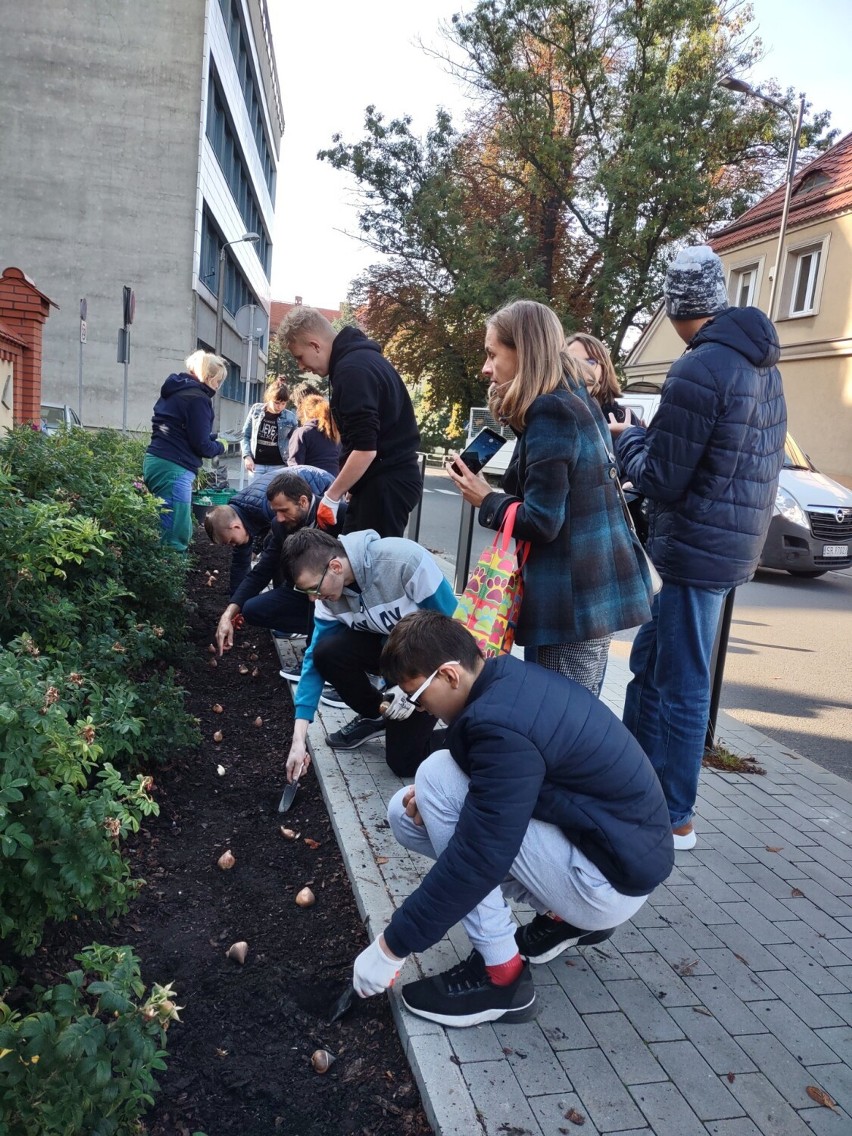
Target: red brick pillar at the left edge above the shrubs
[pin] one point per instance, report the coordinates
(23, 313)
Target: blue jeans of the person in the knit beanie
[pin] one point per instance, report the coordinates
(667, 704)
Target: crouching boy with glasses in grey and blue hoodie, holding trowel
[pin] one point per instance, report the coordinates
(362, 586)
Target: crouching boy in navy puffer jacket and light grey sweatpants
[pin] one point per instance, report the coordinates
(542, 796)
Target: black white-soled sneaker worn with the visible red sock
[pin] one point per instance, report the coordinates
(466, 997)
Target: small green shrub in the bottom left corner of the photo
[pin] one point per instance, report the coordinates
(85, 1059)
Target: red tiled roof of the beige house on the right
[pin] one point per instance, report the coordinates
(822, 190)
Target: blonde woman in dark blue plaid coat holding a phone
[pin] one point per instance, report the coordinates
(586, 578)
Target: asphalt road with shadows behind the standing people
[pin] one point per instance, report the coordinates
(789, 667)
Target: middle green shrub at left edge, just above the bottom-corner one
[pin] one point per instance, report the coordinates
(64, 811)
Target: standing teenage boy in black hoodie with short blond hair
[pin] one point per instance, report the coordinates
(375, 419)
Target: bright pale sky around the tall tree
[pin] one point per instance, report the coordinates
(338, 60)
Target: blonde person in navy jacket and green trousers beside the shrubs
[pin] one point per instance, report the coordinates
(182, 437)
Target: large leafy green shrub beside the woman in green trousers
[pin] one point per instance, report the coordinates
(83, 571)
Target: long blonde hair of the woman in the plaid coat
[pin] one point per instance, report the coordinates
(533, 330)
